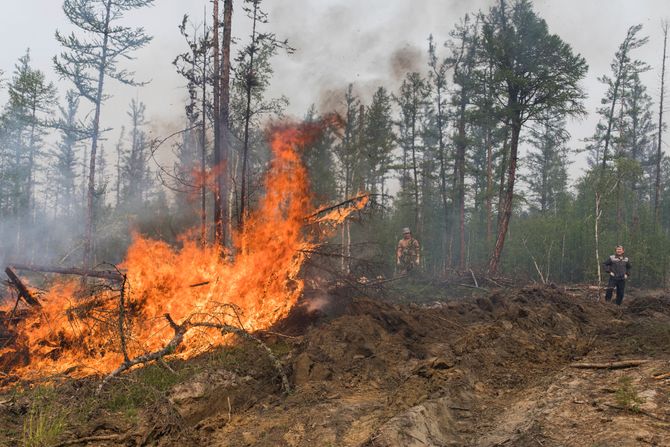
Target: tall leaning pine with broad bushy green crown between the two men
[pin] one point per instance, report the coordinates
(536, 72)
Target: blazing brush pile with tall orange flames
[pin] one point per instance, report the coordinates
(179, 302)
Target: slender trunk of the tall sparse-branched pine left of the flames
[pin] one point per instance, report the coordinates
(90, 196)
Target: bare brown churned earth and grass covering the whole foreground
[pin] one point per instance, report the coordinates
(486, 369)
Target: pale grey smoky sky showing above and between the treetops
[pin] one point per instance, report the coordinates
(369, 43)
